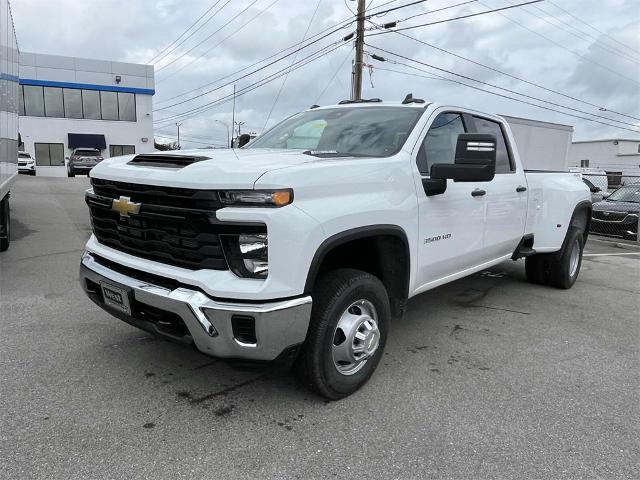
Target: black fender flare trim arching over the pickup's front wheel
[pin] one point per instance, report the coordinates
(356, 234)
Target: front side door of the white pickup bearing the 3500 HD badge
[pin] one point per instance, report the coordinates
(451, 224)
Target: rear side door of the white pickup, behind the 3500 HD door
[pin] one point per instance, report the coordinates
(506, 197)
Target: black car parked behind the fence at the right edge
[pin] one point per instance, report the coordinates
(617, 215)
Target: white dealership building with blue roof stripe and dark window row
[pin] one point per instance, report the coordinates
(67, 102)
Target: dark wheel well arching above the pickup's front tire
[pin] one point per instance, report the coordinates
(384, 255)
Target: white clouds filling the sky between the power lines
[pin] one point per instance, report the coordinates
(136, 30)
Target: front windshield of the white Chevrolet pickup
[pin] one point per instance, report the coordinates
(363, 131)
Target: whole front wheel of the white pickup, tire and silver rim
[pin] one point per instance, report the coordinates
(347, 333)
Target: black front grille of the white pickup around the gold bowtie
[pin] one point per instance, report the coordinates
(175, 226)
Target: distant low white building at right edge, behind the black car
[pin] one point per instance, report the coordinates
(618, 157)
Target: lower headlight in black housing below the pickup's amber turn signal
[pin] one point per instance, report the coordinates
(247, 254)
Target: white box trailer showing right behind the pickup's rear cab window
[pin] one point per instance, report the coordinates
(541, 145)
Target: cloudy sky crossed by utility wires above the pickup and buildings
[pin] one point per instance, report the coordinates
(585, 49)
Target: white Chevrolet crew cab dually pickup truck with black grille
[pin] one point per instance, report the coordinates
(306, 244)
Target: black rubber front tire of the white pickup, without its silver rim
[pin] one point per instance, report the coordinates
(335, 292)
